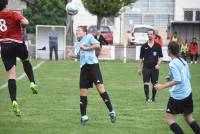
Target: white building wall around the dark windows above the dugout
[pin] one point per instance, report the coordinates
(180, 5)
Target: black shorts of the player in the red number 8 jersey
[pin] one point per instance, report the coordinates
(9, 52)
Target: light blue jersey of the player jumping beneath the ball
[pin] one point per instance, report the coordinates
(88, 56)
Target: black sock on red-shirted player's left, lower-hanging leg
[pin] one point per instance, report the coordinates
(12, 89)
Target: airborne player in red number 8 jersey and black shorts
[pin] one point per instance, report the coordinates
(12, 46)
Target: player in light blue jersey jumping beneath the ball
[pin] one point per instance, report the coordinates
(90, 72)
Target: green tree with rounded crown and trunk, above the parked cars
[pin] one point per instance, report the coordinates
(105, 8)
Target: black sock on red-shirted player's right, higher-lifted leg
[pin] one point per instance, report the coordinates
(28, 70)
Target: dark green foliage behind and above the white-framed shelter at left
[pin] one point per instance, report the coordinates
(45, 12)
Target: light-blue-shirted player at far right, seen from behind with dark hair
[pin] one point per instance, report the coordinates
(180, 101)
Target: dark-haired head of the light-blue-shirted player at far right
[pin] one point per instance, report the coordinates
(173, 49)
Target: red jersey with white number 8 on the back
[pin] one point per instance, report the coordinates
(10, 29)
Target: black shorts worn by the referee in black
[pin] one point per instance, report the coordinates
(150, 74)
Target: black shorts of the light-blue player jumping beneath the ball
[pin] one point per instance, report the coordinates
(90, 73)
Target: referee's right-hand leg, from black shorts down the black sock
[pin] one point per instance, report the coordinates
(154, 81)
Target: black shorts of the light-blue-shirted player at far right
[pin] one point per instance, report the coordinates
(184, 106)
